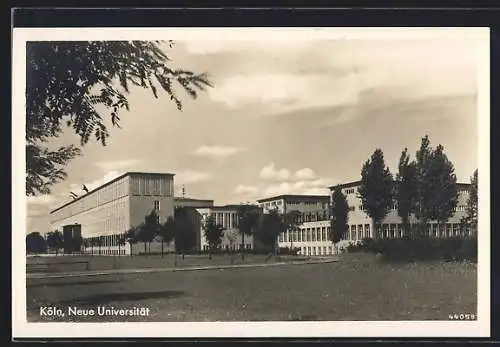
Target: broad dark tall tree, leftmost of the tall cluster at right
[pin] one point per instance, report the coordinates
(376, 189)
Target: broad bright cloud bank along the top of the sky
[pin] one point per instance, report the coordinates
(275, 84)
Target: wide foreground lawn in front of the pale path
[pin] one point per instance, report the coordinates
(356, 288)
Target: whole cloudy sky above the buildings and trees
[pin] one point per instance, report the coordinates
(288, 116)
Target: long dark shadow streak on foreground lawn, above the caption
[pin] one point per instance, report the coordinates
(106, 298)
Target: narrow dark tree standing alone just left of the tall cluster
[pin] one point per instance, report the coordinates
(339, 226)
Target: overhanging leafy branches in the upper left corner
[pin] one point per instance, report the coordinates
(67, 82)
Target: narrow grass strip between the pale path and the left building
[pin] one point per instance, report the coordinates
(66, 263)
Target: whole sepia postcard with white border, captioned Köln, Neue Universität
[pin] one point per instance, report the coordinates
(302, 182)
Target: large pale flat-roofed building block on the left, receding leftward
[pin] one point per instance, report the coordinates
(107, 212)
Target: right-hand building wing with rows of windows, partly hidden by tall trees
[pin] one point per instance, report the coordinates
(312, 239)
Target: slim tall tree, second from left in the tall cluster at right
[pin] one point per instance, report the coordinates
(406, 193)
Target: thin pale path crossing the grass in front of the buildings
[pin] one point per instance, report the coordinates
(151, 270)
